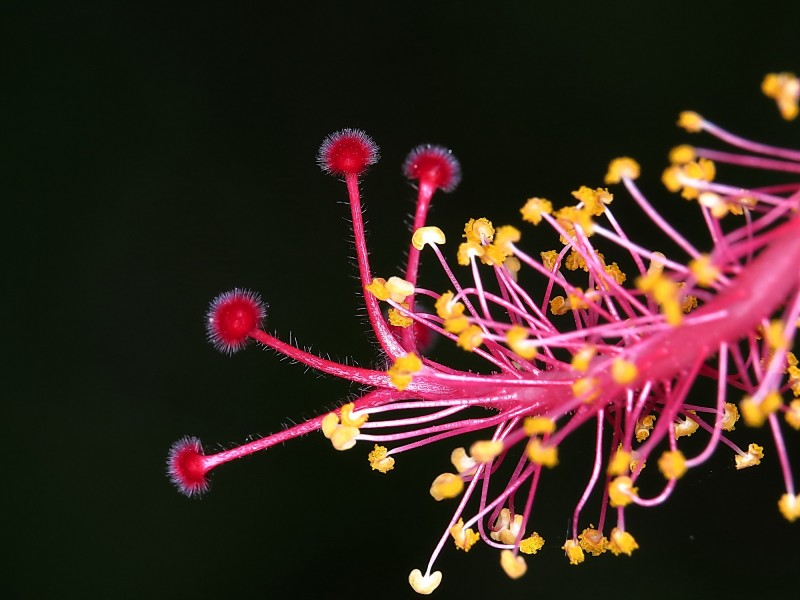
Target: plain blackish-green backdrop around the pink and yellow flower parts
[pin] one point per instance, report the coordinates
(156, 154)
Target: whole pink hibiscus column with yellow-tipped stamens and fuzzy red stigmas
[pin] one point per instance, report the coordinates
(615, 341)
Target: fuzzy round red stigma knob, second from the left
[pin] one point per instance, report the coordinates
(232, 317)
